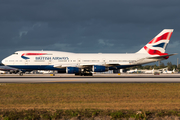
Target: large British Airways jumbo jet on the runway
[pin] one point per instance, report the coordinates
(85, 64)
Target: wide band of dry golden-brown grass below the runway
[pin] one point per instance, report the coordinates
(115, 96)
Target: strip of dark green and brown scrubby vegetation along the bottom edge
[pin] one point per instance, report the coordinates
(36, 114)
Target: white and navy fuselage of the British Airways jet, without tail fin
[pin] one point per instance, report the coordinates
(58, 60)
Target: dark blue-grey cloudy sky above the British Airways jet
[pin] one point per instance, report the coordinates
(88, 26)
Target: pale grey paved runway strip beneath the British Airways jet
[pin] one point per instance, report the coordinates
(99, 78)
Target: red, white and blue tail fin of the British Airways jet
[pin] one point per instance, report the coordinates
(158, 44)
